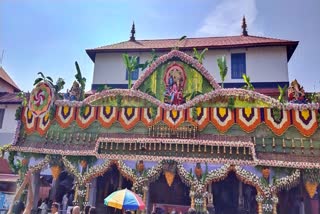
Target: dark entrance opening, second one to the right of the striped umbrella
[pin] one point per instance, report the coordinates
(226, 197)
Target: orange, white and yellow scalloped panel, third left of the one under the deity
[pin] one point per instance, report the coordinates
(107, 115)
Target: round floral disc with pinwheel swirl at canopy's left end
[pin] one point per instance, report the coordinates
(41, 99)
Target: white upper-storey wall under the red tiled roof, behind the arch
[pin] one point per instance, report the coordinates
(264, 64)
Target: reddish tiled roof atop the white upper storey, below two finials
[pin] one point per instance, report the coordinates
(190, 43)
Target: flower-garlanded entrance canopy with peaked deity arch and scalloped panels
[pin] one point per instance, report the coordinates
(175, 113)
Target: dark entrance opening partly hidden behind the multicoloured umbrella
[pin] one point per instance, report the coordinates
(107, 184)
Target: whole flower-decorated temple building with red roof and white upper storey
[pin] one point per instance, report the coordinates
(208, 123)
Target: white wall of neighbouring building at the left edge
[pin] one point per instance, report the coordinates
(9, 123)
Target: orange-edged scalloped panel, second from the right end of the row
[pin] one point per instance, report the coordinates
(277, 125)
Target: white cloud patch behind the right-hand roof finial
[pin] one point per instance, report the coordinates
(226, 18)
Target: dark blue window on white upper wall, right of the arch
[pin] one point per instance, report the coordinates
(238, 65)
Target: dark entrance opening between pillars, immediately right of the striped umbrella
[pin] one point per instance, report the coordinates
(169, 197)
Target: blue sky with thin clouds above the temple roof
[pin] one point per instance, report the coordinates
(48, 35)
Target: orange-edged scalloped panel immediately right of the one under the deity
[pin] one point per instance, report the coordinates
(202, 116)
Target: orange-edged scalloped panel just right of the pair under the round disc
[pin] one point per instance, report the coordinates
(65, 115)
